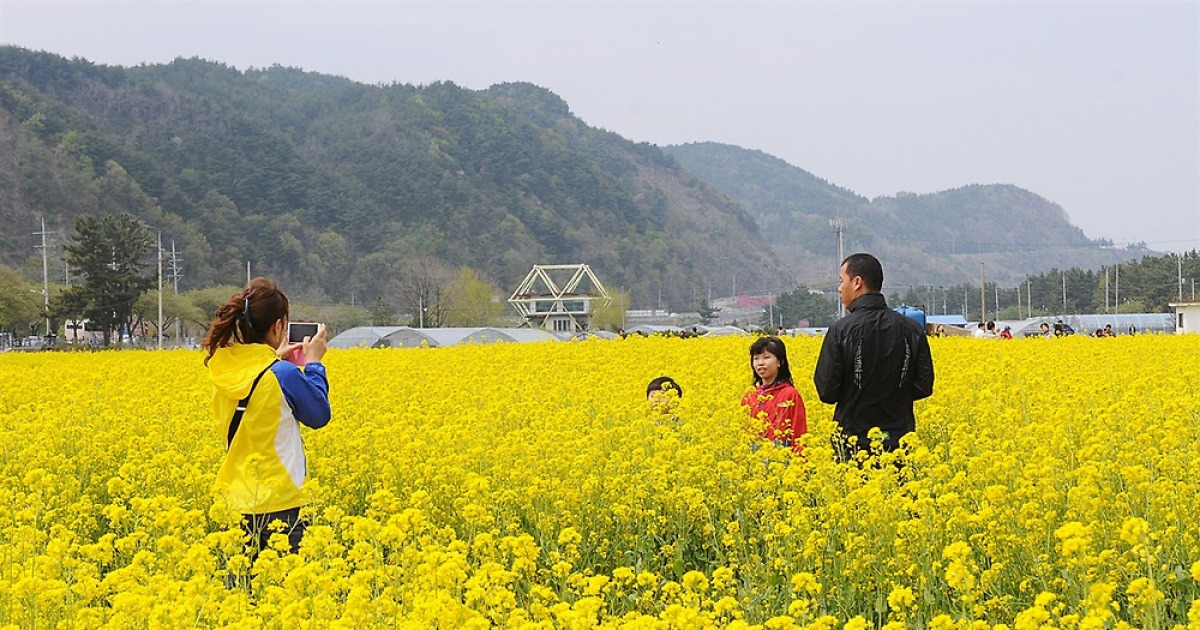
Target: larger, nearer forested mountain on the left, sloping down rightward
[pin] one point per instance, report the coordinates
(332, 187)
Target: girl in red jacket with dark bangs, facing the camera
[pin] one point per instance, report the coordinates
(775, 400)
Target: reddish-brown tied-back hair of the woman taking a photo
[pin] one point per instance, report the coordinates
(248, 317)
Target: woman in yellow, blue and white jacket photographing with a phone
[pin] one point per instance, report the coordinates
(259, 404)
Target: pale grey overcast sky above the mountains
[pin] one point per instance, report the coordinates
(1095, 106)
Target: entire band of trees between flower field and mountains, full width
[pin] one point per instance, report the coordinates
(113, 283)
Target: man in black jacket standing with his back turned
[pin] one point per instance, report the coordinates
(874, 363)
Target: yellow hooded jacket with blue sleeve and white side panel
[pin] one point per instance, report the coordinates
(265, 466)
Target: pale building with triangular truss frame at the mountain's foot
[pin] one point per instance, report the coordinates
(557, 298)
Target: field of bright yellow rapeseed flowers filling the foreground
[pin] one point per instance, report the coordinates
(1053, 484)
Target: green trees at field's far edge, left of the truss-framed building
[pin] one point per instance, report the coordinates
(112, 293)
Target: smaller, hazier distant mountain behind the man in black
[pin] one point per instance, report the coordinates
(925, 239)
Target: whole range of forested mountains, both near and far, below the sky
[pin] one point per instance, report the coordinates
(332, 187)
